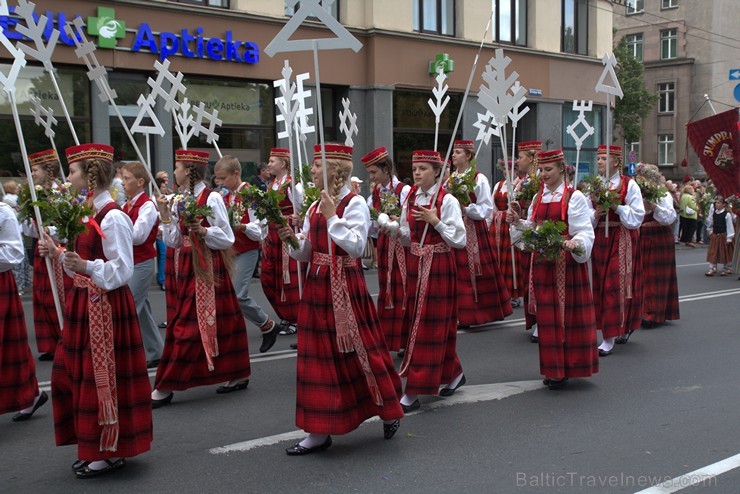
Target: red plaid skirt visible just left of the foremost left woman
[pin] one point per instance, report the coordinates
(45, 321)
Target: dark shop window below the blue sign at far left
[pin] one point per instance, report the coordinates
(34, 82)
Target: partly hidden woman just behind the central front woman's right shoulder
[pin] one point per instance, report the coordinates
(389, 193)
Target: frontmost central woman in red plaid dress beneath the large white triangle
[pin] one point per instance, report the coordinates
(345, 373)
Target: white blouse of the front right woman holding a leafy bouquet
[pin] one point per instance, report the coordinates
(580, 228)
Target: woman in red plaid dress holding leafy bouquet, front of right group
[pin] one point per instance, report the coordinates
(559, 290)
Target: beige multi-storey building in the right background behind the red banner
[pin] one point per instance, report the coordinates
(689, 49)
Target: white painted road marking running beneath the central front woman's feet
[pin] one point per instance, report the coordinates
(467, 394)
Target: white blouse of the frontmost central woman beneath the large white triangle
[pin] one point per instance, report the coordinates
(348, 232)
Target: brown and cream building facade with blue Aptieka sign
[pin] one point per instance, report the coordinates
(554, 45)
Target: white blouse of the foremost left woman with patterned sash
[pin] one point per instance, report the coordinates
(118, 248)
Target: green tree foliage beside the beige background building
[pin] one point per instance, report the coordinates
(638, 101)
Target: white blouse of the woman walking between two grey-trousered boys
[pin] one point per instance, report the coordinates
(219, 235)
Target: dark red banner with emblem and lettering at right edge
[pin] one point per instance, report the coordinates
(716, 140)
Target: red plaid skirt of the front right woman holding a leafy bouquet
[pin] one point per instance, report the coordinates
(575, 355)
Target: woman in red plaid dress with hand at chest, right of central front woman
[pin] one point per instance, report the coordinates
(431, 356)
